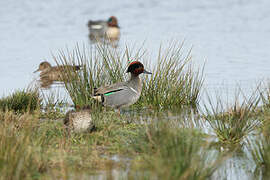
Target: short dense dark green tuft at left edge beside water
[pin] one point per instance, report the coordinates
(21, 101)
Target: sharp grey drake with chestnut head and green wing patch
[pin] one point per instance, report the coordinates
(122, 94)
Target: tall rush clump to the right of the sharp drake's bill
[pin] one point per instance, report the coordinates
(175, 82)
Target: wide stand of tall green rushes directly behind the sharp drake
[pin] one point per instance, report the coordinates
(174, 81)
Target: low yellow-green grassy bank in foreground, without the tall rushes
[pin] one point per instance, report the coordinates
(33, 149)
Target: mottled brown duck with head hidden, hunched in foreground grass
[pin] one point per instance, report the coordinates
(79, 121)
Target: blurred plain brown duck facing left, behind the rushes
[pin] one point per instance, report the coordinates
(49, 73)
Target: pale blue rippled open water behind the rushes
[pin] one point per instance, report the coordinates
(233, 36)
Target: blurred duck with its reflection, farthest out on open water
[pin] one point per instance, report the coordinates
(108, 30)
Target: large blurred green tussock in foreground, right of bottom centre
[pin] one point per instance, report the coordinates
(177, 153)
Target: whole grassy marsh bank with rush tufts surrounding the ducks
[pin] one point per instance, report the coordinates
(167, 134)
